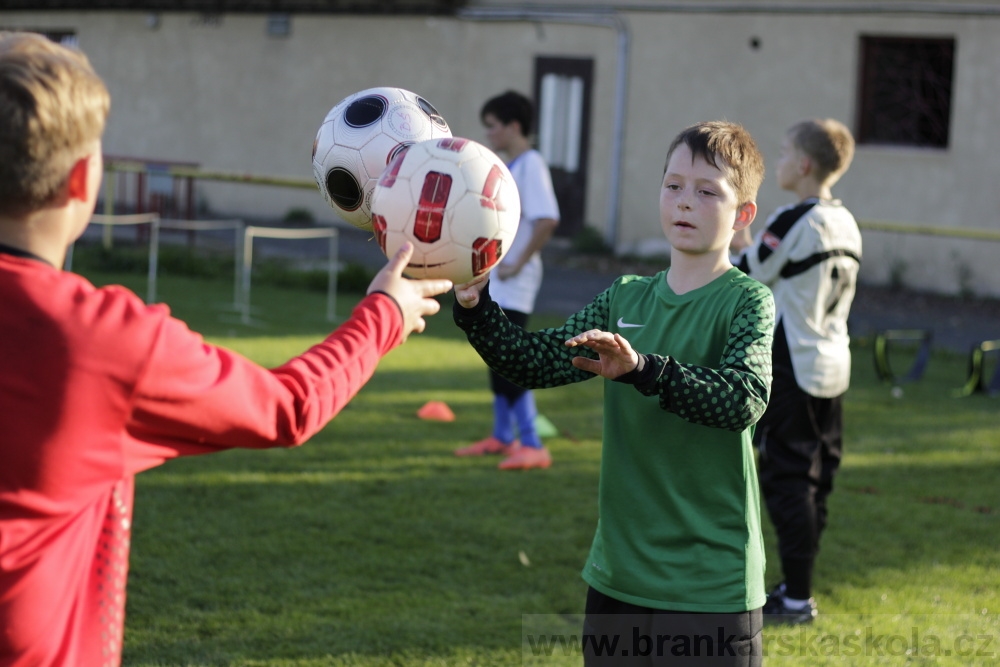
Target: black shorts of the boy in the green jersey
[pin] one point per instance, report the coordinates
(619, 633)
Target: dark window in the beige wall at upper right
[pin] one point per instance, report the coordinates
(905, 91)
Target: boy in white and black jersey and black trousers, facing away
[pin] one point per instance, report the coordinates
(809, 255)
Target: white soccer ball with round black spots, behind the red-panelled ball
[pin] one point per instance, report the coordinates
(359, 137)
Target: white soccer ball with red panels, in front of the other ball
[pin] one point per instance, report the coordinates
(455, 200)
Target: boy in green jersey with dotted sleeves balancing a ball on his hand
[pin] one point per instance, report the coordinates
(676, 567)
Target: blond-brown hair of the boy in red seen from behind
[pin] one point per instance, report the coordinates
(53, 107)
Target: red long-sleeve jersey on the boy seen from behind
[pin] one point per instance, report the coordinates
(95, 386)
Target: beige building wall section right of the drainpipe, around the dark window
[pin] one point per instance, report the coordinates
(690, 67)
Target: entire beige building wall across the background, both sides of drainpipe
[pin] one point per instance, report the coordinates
(224, 94)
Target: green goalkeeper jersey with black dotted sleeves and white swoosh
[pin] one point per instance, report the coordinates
(679, 524)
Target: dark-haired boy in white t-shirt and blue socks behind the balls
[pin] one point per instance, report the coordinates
(517, 279)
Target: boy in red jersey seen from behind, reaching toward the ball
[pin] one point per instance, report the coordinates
(95, 386)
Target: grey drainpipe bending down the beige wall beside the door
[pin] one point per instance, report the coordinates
(606, 19)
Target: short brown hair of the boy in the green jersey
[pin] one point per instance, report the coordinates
(730, 143)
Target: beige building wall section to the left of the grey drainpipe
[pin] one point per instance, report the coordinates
(225, 95)
